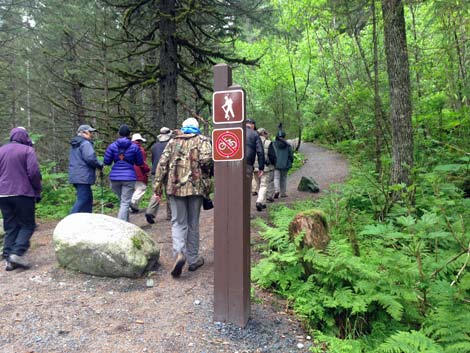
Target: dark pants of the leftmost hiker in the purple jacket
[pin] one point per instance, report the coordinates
(18, 222)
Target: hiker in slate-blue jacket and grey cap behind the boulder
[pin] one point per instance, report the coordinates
(82, 168)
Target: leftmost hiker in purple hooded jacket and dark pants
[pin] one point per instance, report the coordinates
(20, 190)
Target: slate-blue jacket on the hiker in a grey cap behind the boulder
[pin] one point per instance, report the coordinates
(82, 161)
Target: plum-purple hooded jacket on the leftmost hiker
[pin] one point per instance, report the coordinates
(19, 168)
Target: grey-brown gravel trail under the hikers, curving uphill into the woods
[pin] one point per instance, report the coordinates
(49, 309)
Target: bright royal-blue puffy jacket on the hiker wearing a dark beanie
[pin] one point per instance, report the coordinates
(123, 170)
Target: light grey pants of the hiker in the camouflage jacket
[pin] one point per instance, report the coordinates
(185, 225)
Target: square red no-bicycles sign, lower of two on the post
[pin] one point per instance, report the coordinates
(227, 144)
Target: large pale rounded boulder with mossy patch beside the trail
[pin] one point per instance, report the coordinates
(104, 246)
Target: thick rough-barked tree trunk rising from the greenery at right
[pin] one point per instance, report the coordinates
(400, 92)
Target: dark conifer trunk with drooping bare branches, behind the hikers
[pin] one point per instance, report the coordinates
(168, 65)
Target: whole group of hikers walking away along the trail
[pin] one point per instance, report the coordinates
(181, 168)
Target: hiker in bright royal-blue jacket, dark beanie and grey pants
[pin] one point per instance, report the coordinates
(123, 154)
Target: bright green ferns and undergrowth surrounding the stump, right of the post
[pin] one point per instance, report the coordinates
(389, 281)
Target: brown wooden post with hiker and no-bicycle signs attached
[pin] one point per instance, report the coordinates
(232, 203)
